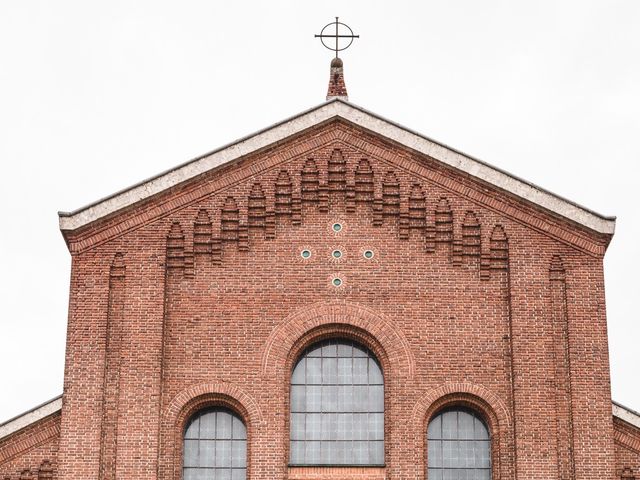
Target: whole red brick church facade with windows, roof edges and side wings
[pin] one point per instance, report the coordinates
(334, 297)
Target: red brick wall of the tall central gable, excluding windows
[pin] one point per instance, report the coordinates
(200, 296)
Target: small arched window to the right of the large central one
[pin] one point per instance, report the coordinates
(459, 446)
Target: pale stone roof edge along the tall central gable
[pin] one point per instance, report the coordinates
(359, 116)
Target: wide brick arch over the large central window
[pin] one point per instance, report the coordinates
(393, 346)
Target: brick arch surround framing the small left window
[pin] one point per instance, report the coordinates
(189, 401)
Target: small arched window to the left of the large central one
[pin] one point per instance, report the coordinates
(215, 446)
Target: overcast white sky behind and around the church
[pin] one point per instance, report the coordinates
(95, 96)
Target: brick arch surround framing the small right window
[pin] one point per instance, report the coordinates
(476, 397)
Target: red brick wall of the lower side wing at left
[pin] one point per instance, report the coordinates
(31, 453)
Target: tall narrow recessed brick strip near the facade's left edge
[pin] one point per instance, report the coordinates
(113, 353)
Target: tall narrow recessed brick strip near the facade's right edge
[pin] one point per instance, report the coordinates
(563, 391)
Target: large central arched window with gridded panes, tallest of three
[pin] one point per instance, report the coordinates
(337, 406)
